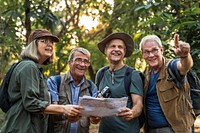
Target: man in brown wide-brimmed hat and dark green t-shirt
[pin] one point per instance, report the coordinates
(116, 47)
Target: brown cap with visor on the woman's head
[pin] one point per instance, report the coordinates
(38, 33)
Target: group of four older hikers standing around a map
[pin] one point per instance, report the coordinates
(50, 105)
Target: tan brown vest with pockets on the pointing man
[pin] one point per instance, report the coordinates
(170, 99)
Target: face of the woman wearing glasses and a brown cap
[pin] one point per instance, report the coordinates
(45, 47)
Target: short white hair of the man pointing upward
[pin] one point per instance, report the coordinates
(150, 38)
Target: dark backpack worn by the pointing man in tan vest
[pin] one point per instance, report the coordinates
(194, 83)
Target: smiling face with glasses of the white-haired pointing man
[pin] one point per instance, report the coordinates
(152, 54)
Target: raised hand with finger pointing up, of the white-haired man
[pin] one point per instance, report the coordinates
(182, 49)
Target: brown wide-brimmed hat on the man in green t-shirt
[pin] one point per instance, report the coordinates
(122, 36)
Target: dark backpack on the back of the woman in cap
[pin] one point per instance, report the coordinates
(5, 104)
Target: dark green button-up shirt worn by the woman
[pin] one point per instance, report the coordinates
(29, 95)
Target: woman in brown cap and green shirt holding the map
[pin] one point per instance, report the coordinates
(28, 88)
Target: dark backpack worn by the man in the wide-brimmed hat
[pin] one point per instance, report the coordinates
(127, 83)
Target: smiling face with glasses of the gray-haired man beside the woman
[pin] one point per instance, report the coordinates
(79, 64)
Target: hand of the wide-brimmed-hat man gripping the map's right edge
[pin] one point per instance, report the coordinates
(126, 114)
